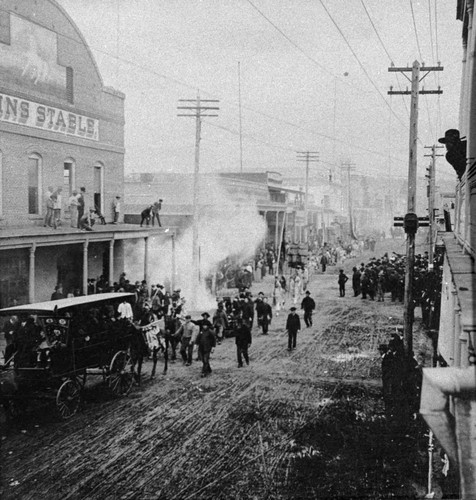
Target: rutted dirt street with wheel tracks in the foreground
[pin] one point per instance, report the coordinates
(305, 424)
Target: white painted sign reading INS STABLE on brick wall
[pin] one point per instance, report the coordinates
(32, 114)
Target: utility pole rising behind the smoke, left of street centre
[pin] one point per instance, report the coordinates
(197, 111)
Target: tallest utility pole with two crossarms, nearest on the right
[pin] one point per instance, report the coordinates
(411, 219)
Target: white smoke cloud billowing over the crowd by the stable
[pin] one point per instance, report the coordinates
(229, 226)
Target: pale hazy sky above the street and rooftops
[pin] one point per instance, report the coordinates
(312, 74)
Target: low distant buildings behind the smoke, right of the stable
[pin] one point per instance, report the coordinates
(274, 200)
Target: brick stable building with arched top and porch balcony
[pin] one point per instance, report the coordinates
(59, 127)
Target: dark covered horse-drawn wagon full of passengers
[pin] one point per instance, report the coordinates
(57, 344)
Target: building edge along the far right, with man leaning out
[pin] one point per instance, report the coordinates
(448, 401)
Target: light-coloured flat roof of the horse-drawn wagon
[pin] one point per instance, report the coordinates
(55, 306)
